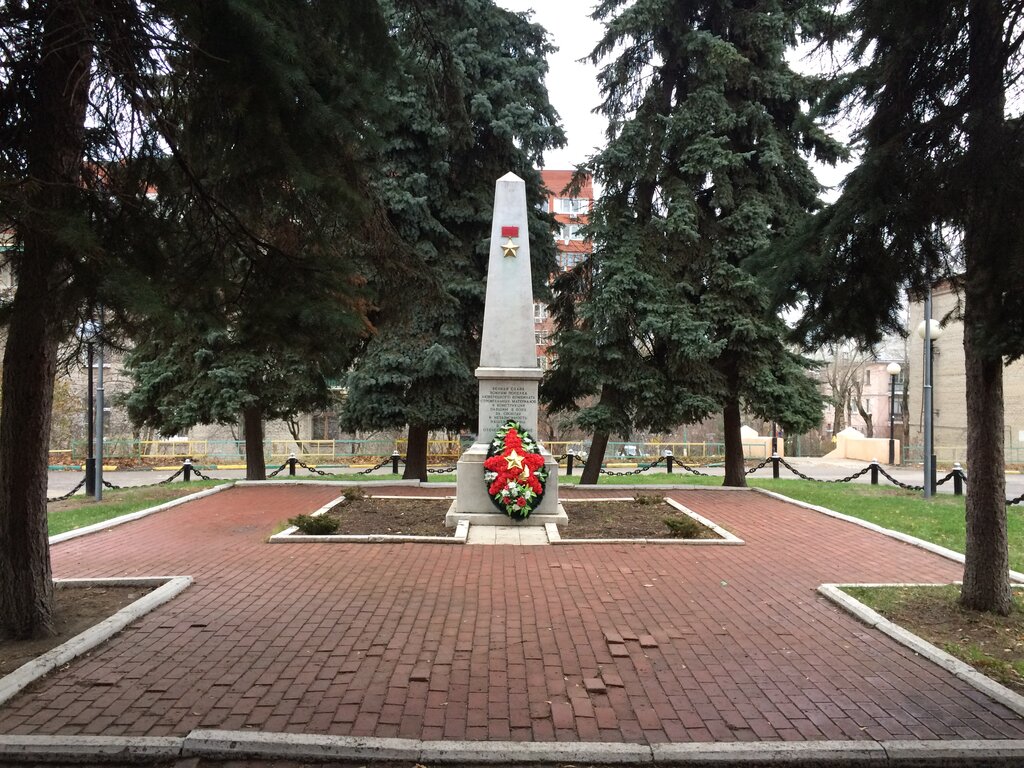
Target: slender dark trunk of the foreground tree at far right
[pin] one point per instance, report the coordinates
(987, 582)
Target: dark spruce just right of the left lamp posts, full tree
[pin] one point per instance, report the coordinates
(274, 301)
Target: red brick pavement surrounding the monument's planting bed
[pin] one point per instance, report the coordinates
(593, 643)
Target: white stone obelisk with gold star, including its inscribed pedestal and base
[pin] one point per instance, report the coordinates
(508, 374)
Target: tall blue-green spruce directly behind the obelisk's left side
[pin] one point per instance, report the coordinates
(473, 107)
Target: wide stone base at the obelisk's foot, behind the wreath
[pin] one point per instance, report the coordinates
(473, 502)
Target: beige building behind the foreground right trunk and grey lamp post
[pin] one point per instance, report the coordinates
(950, 386)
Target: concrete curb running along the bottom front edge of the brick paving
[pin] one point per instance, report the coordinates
(224, 745)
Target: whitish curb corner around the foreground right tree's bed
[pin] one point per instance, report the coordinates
(919, 646)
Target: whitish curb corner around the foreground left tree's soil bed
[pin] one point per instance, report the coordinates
(76, 647)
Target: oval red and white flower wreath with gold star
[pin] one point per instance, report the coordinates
(515, 472)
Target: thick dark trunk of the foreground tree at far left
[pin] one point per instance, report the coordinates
(56, 130)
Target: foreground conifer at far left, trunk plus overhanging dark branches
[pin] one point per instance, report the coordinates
(84, 126)
